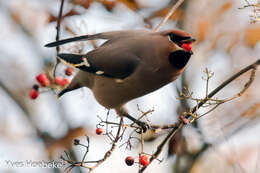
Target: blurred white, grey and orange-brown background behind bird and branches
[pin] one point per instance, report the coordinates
(226, 140)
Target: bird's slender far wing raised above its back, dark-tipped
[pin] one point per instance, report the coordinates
(105, 35)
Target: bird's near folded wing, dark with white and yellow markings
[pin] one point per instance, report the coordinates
(108, 65)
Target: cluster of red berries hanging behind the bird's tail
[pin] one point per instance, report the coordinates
(46, 81)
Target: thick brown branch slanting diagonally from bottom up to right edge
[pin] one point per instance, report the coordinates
(181, 124)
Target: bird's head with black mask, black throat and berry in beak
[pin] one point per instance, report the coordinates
(182, 47)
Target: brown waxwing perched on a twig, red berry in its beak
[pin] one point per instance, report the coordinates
(128, 65)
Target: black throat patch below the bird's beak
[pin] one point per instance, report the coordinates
(179, 58)
